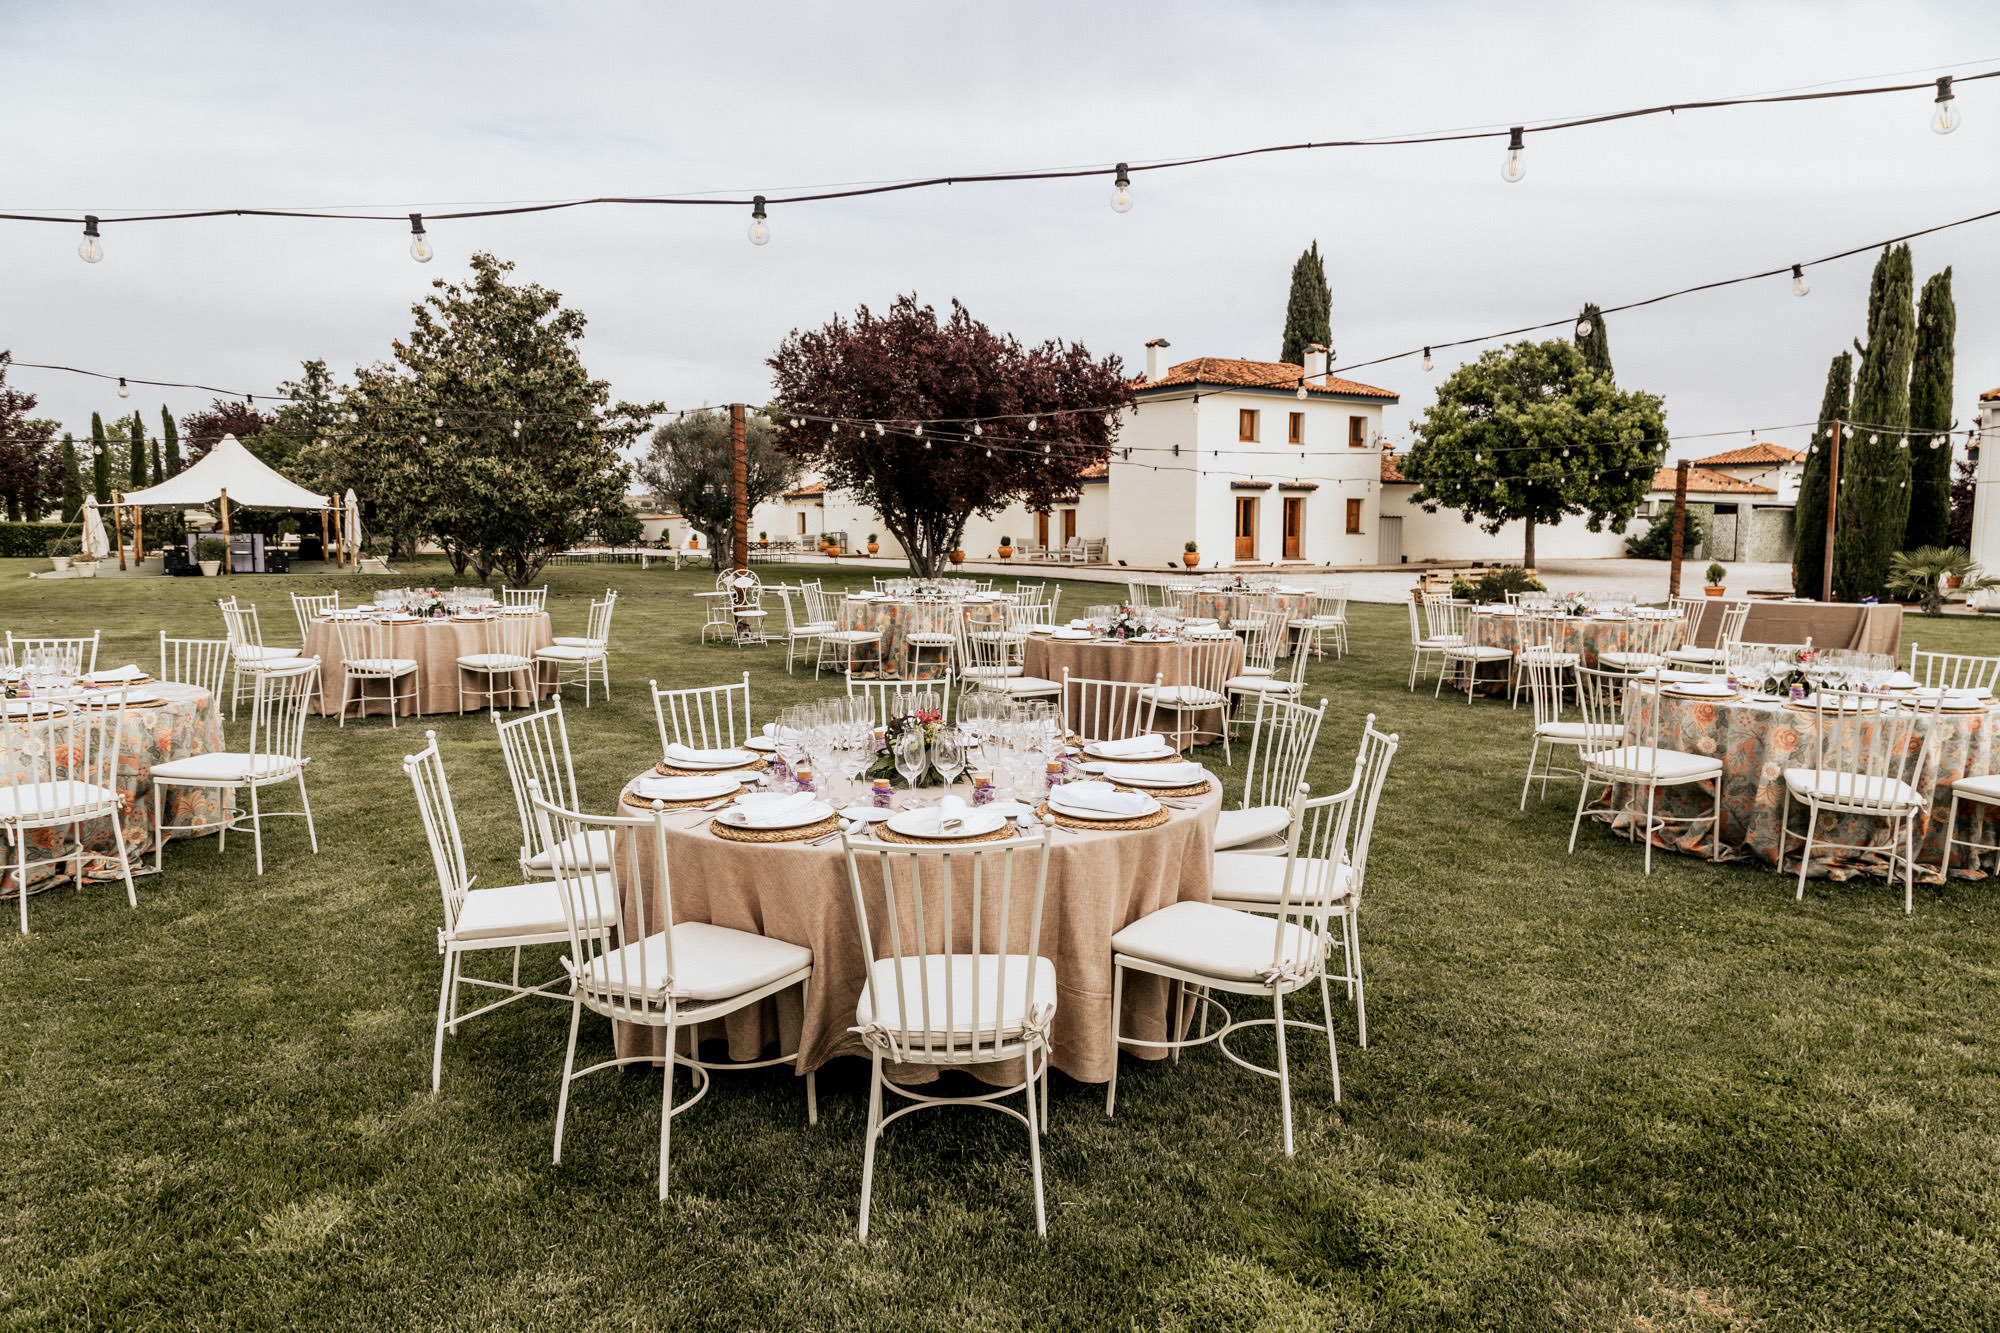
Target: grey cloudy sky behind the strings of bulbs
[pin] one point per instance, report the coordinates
(117, 107)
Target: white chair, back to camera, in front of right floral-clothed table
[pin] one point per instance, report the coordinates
(1867, 764)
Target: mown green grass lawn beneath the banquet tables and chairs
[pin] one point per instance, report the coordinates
(1591, 1102)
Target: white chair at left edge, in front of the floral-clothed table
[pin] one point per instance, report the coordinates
(59, 770)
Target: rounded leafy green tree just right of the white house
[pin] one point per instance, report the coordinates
(1531, 433)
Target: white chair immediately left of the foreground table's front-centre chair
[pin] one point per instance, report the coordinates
(657, 972)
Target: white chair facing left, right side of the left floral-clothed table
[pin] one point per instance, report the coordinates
(275, 756)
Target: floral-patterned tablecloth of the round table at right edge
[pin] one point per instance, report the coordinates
(1759, 740)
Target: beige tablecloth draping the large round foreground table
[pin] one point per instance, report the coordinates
(1099, 884)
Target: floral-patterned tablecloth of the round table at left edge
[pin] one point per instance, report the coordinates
(187, 722)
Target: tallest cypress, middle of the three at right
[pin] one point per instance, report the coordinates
(1875, 473)
